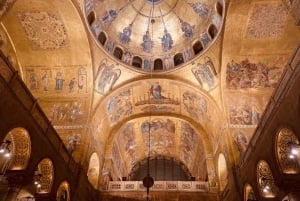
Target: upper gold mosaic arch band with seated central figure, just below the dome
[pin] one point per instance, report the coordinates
(158, 96)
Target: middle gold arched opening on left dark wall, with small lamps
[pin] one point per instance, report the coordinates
(43, 176)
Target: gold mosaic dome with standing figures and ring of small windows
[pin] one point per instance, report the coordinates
(155, 34)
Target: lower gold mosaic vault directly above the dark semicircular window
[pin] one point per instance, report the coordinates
(169, 137)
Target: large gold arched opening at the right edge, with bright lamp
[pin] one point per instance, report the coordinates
(288, 151)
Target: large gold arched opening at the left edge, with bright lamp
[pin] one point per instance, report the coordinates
(16, 150)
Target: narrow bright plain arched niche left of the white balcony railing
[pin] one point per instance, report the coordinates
(93, 171)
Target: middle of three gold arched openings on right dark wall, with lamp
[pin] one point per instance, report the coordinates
(265, 180)
